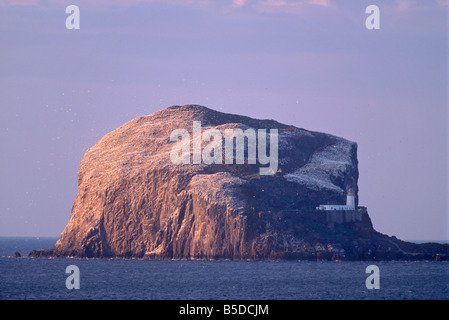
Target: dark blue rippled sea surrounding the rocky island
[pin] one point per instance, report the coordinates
(26, 278)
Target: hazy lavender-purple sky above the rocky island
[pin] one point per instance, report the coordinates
(308, 63)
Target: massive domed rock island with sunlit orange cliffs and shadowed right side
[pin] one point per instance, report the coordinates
(133, 201)
